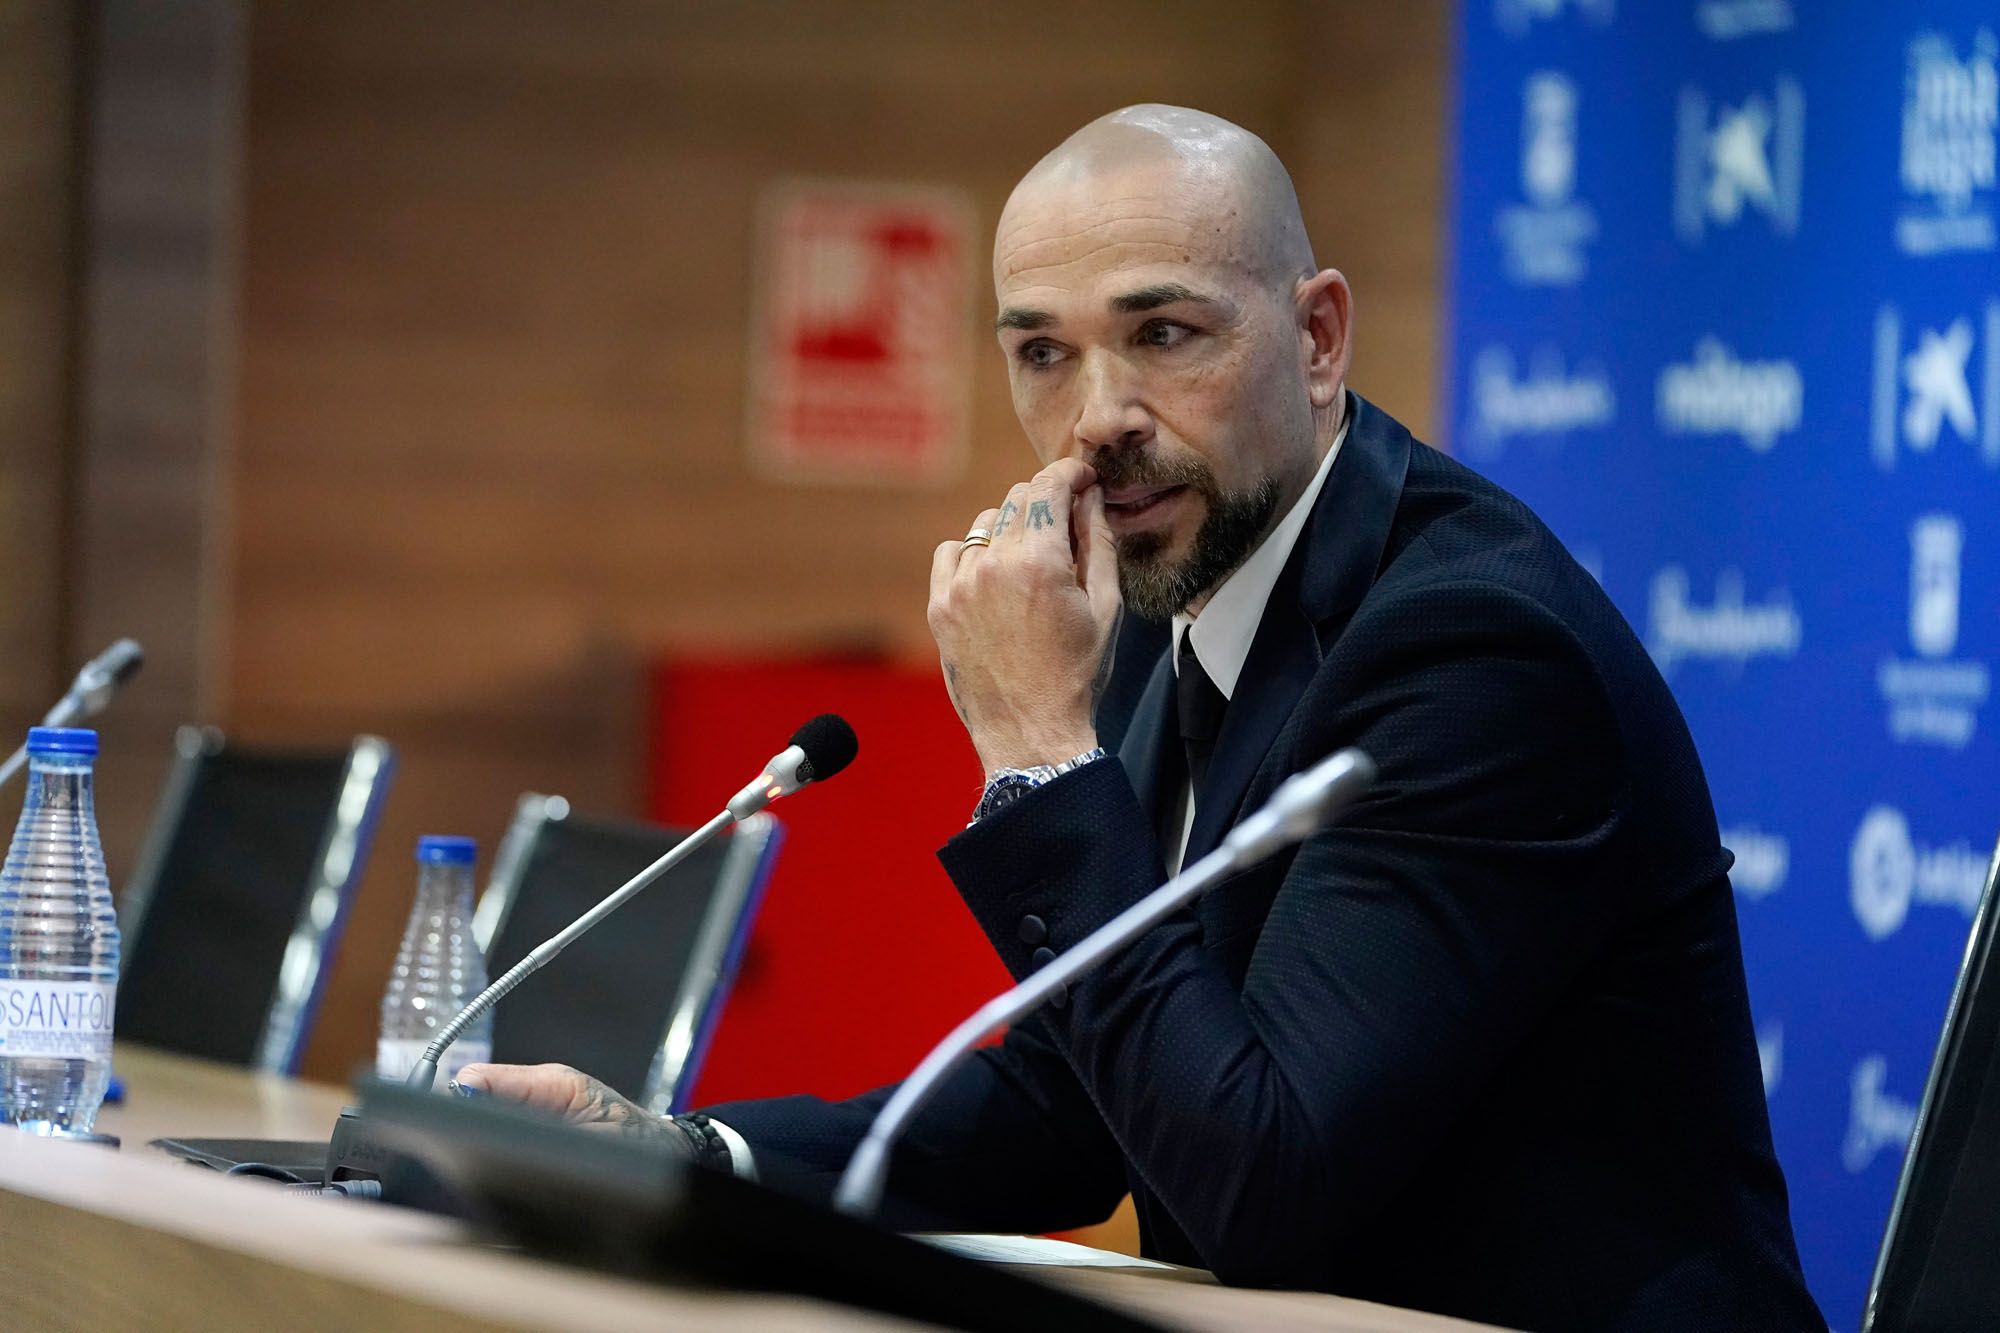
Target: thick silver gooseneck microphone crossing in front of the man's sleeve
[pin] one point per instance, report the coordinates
(1301, 808)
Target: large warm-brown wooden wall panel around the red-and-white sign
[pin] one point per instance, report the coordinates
(497, 279)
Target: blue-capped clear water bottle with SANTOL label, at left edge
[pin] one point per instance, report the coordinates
(59, 946)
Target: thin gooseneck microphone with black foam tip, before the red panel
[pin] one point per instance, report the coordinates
(819, 750)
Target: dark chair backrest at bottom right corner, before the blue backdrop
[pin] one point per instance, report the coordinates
(1939, 1256)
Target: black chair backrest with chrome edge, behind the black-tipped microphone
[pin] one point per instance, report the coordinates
(637, 1000)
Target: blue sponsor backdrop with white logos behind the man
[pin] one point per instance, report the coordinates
(1727, 313)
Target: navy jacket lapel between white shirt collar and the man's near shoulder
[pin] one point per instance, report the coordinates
(1331, 569)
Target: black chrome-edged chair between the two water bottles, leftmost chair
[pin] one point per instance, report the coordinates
(235, 910)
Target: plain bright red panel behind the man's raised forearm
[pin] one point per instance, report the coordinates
(863, 956)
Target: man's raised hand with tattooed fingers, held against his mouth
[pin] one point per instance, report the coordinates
(1025, 625)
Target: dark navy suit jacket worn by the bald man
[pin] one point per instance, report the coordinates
(1481, 1050)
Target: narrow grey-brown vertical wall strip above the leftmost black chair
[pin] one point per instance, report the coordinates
(155, 381)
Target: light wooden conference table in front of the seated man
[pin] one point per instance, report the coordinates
(135, 1240)
